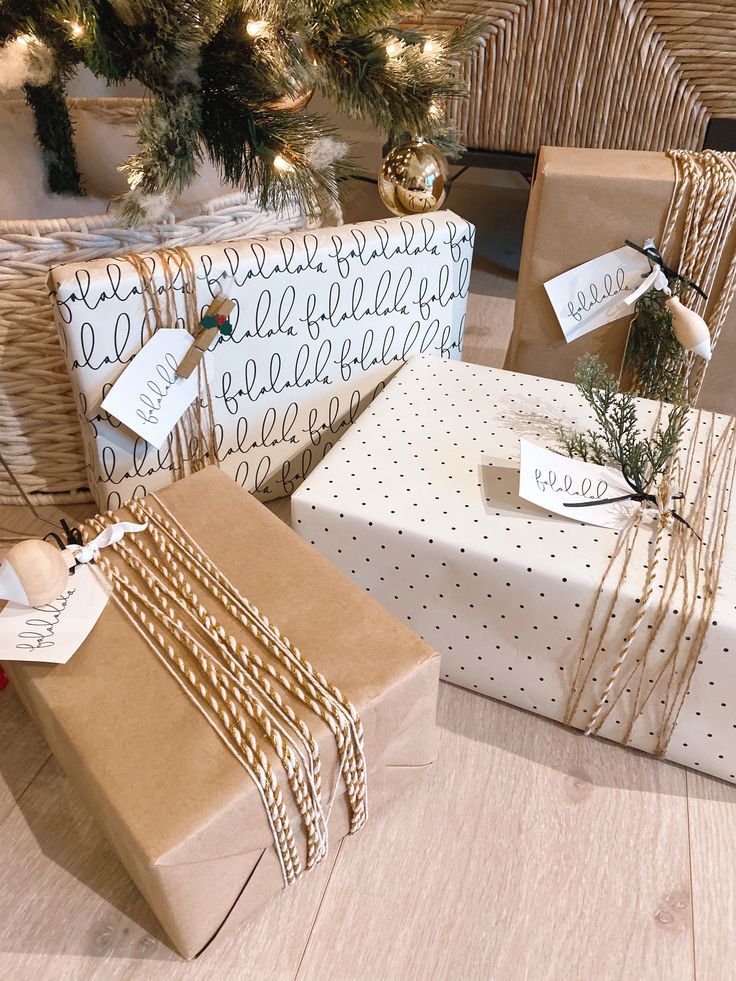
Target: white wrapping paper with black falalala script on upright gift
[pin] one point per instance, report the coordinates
(322, 319)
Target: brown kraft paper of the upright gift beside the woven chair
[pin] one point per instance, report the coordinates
(584, 204)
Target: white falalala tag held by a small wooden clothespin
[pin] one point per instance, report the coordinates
(148, 397)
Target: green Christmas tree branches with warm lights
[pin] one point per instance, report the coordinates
(230, 80)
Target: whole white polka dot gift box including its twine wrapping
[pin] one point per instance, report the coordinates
(627, 631)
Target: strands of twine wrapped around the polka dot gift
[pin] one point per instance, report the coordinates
(693, 564)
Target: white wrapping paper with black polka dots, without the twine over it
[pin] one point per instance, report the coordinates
(420, 504)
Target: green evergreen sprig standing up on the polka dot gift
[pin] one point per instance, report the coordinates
(619, 440)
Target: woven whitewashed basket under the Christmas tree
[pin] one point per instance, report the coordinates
(39, 430)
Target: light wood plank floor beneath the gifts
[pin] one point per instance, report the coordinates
(531, 853)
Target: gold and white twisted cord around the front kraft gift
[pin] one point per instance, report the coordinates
(247, 698)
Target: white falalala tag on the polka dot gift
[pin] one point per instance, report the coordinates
(551, 480)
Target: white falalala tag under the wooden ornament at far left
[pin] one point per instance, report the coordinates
(53, 632)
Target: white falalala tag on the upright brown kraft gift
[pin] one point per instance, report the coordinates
(595, 293)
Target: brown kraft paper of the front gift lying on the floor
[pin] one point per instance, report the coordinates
(182, 814)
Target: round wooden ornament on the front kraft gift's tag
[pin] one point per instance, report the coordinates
(34, 572)
